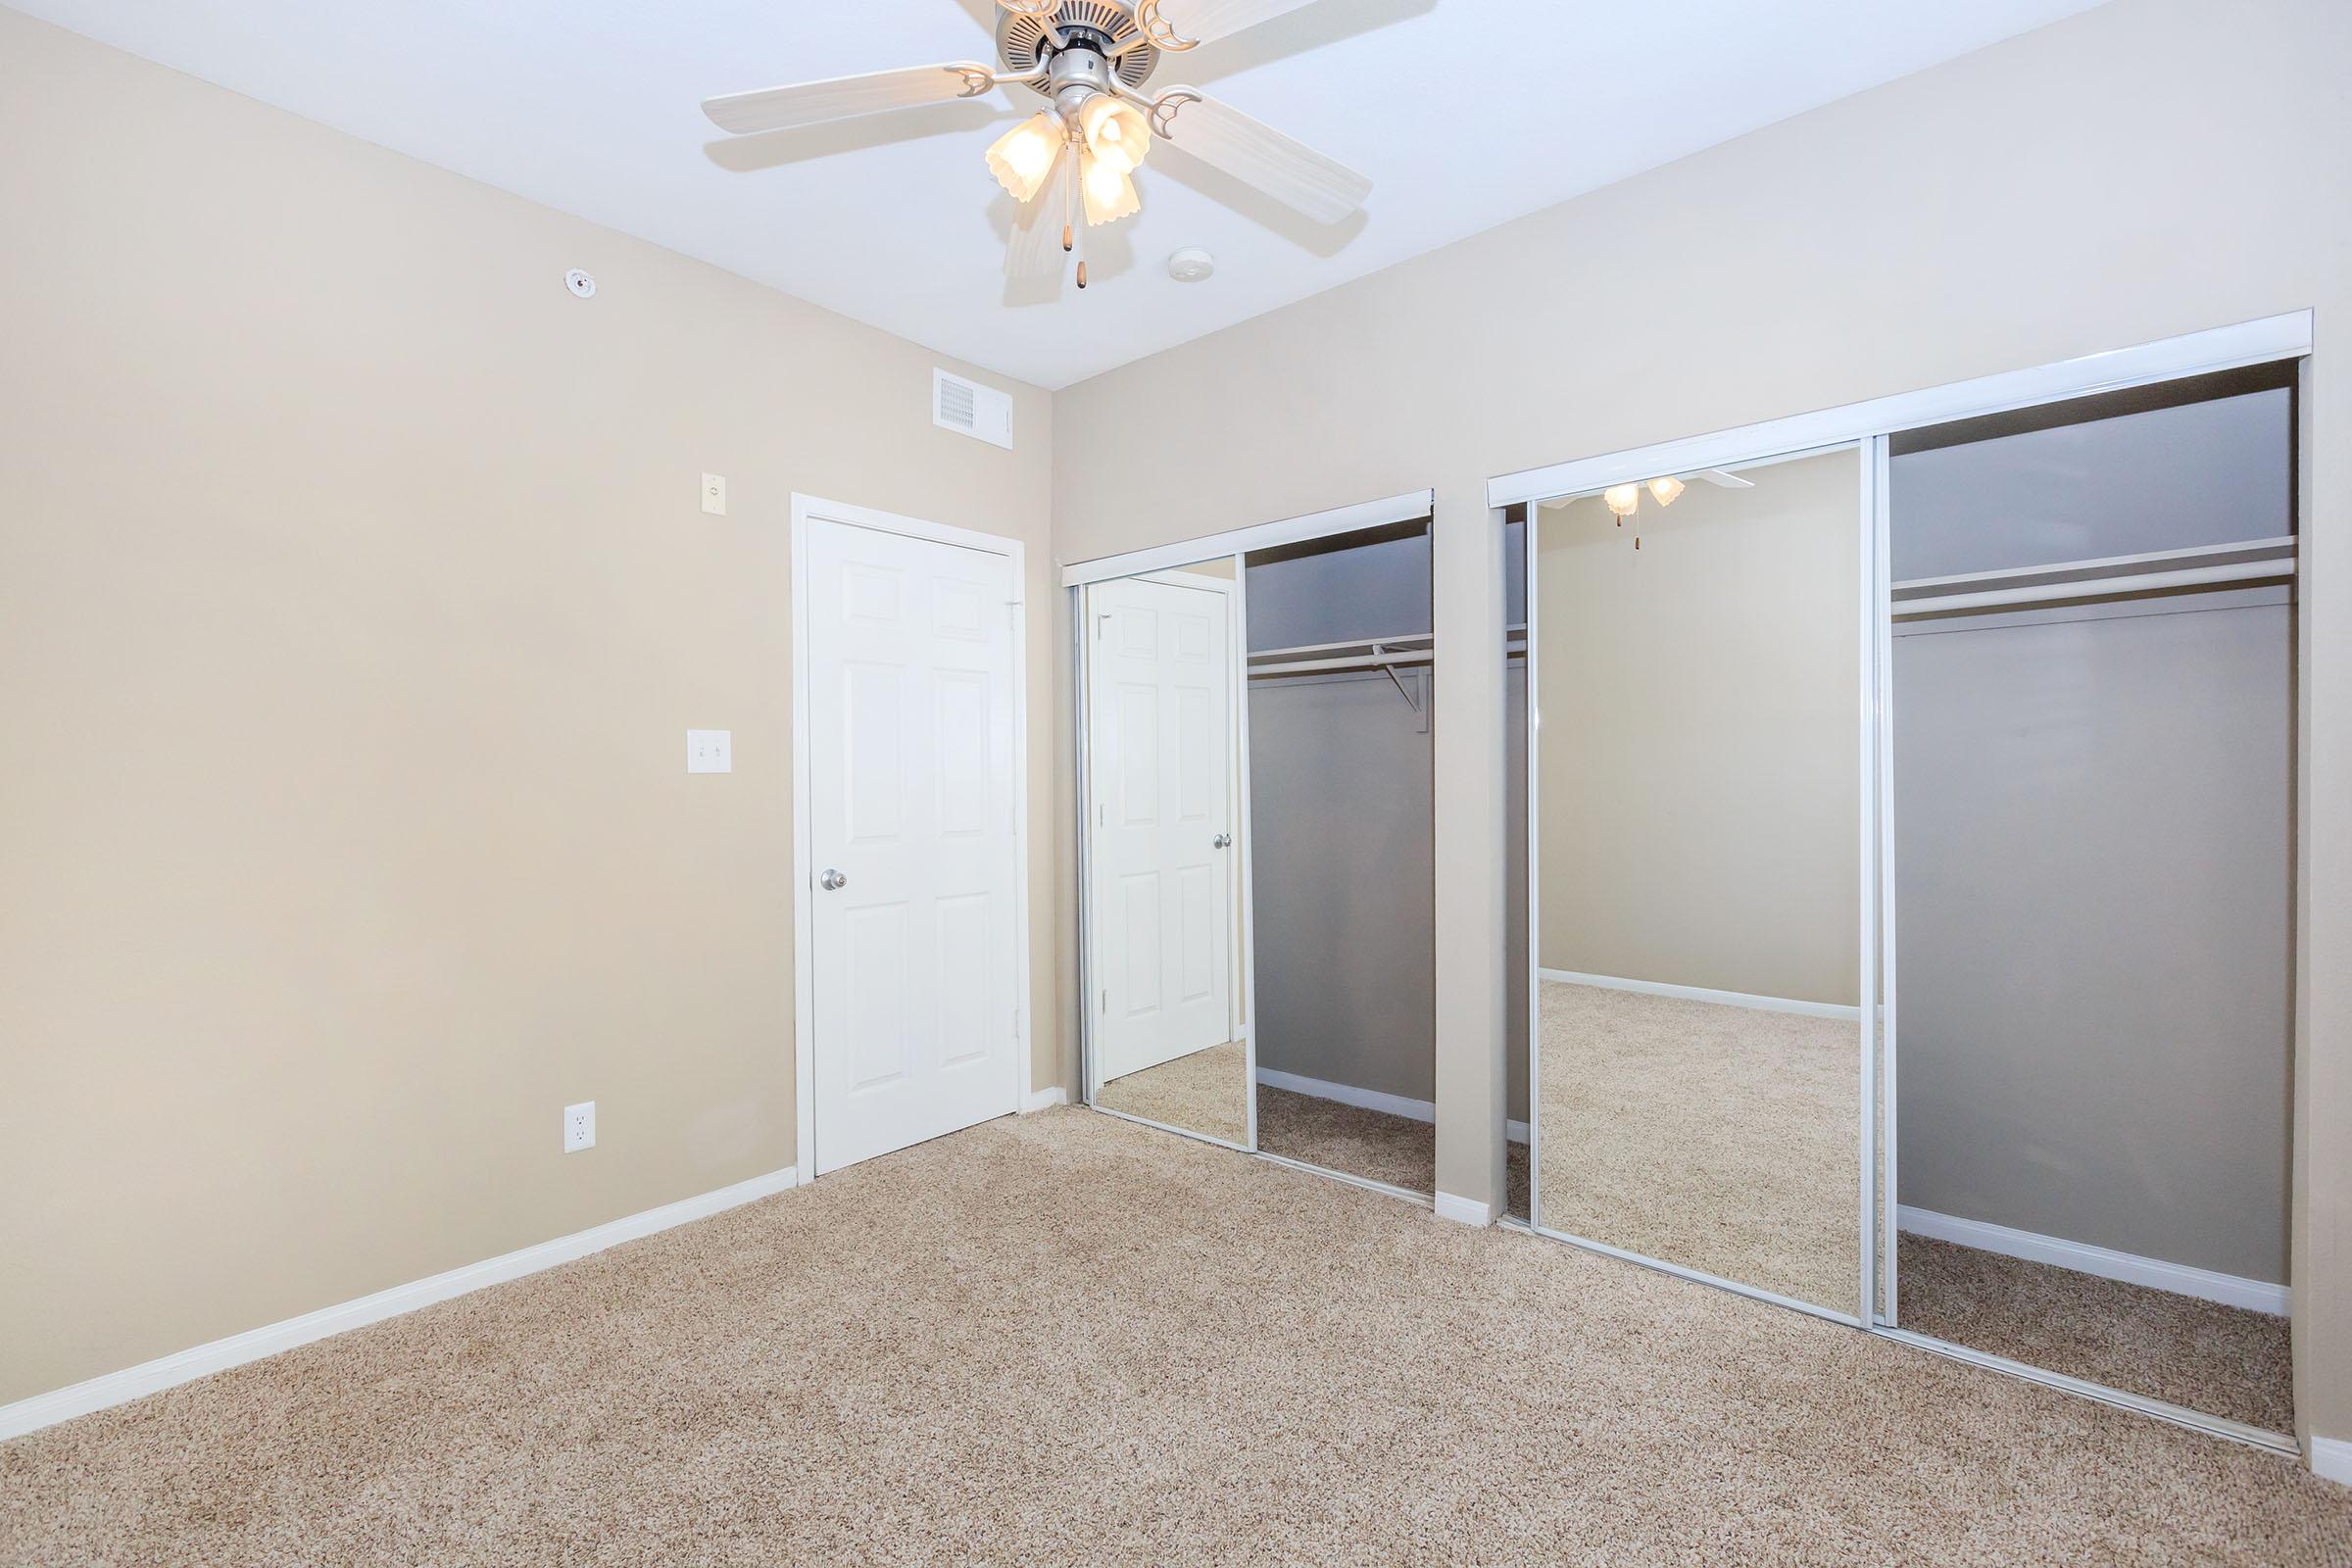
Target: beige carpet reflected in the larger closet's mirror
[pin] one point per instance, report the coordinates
(1716, 1137)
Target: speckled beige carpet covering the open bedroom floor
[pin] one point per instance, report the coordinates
(1067, 1339)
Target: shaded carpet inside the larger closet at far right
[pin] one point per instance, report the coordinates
(2191, 1353)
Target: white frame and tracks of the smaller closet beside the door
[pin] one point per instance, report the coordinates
(1172, 558)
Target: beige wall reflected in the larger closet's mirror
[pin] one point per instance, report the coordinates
(1702, 808)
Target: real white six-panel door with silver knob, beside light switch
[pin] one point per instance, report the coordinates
(911, 838)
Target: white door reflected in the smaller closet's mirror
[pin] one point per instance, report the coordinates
(1161, 735)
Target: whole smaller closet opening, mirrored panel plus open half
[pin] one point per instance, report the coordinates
(1259, 934)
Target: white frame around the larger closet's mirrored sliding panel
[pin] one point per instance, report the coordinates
(1730, 450)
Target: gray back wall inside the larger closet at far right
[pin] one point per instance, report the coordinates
(2092, 847)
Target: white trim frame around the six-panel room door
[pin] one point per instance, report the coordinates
(806, 511)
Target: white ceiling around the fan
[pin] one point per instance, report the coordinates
(1462, 112)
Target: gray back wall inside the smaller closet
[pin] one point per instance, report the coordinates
(1342, 833)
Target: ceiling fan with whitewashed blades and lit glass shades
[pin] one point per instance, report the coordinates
(1078, 156)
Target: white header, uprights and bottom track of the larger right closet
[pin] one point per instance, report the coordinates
(1871, 424)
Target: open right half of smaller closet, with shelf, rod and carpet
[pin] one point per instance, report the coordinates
(1342, 716)
